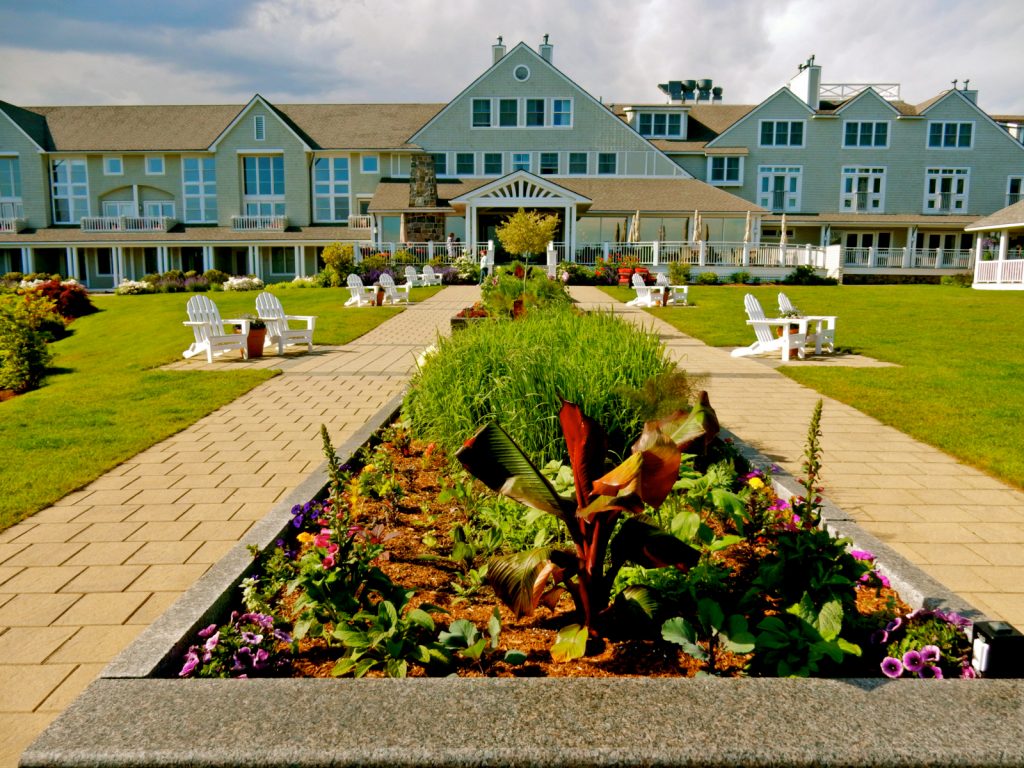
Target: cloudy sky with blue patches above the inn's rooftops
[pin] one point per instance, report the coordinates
(223, 52)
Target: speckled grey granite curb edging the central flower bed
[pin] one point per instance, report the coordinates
(132, 717)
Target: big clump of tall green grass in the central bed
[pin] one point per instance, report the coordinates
(516, 373)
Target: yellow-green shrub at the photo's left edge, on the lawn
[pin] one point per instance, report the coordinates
(24, 356)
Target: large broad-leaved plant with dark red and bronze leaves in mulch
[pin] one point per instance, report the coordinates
(601, 499)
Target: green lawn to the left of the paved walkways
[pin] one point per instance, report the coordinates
(105, 402)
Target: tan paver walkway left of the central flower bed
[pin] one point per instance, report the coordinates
(80, 580)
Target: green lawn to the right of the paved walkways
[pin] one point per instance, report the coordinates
(961, 386)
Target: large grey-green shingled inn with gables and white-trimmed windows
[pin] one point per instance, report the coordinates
(845, 178)
